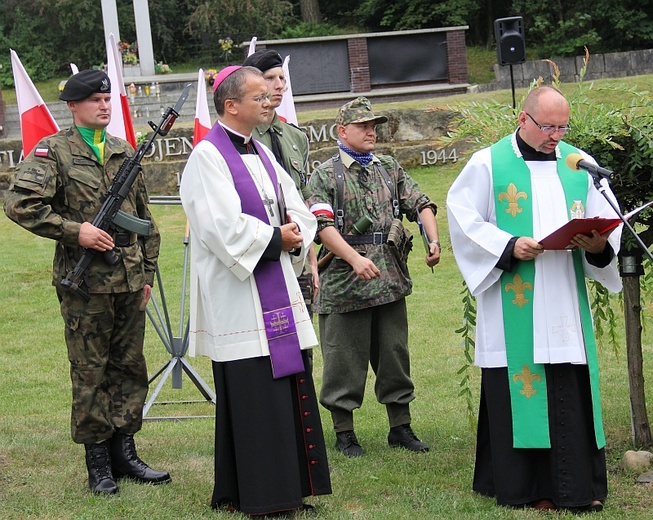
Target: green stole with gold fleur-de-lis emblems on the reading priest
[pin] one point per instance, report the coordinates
(527, 380)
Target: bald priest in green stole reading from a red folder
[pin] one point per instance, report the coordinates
(540, 436)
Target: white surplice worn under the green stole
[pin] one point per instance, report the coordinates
(478, 244)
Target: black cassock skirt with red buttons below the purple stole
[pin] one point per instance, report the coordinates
(269, 444)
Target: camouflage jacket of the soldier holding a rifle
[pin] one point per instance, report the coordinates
(60, 185)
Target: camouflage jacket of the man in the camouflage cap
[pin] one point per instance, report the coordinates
(365, 193)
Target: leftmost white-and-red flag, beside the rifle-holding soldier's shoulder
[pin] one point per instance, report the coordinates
(36, 121)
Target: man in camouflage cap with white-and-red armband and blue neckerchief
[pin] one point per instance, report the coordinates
(361, 302)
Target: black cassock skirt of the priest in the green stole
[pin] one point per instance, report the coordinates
(572, 473)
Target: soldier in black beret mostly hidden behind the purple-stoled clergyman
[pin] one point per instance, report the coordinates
(290, 147)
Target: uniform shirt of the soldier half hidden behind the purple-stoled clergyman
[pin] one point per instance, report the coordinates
(294, 147)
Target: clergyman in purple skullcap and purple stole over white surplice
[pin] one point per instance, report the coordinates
(249, 228)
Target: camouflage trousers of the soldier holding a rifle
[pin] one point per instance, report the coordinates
(107, 367)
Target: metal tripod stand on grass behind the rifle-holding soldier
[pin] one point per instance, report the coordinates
(177, 346)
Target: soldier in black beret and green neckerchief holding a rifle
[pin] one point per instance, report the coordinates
(55, 193)
